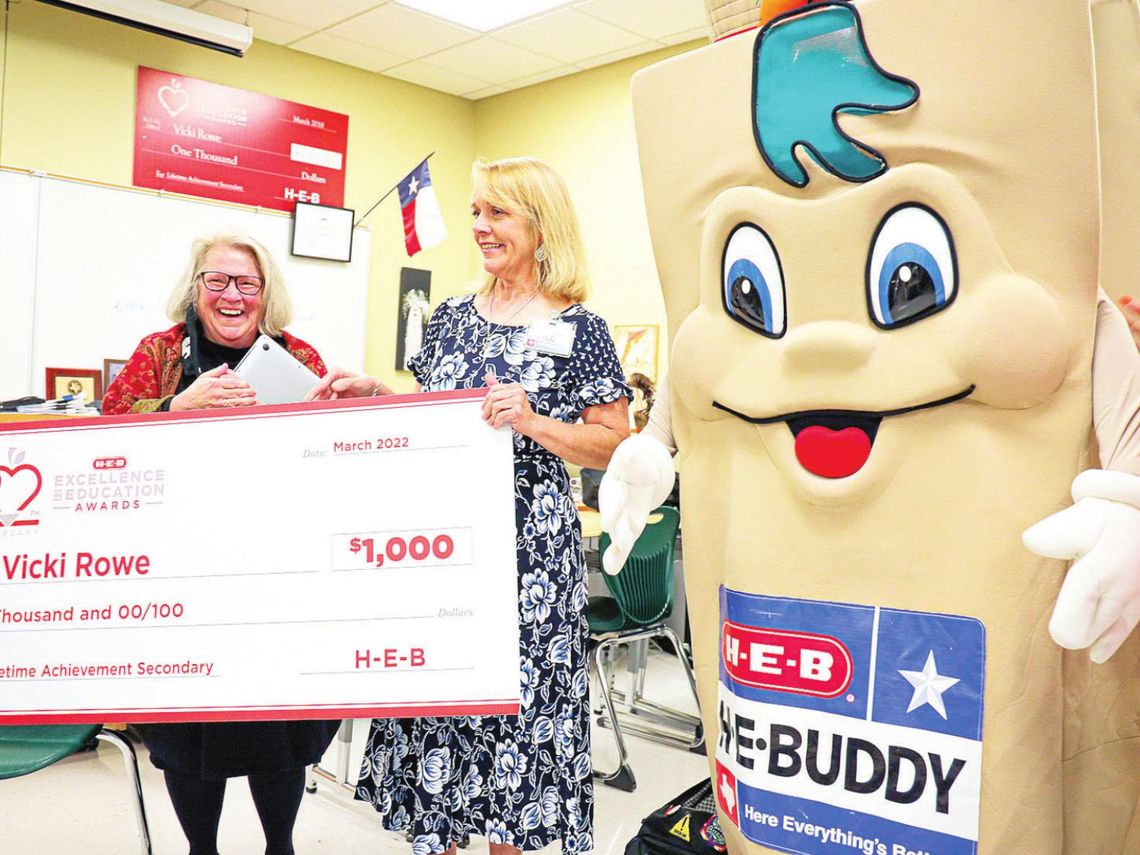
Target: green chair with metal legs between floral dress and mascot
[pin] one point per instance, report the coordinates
(642, 600)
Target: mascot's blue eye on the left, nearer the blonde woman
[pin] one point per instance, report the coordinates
(753, 282)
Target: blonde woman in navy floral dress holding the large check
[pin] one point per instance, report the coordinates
(524, 783)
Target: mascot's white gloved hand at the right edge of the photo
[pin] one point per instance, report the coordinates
(1100, 604)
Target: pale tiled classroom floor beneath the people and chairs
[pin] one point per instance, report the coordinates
(80, 807)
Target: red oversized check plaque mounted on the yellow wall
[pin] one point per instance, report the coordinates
(205, 140)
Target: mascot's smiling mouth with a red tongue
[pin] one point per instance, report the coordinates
(837, 443)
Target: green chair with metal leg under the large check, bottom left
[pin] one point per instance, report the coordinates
(26, 750)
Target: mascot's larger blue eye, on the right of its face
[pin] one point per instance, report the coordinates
(913, 271)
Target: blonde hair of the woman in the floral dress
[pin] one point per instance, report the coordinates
(530, 188)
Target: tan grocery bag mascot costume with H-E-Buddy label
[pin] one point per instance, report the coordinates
(876, 227)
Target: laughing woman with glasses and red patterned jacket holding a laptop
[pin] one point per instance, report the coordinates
(232, 291)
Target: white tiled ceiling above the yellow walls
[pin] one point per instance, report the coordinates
(381, 36)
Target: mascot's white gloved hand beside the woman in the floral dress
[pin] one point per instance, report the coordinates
(639, 479)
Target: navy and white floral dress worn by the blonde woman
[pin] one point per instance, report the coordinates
(527, 780)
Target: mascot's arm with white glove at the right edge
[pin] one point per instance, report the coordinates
(1100, 602)
